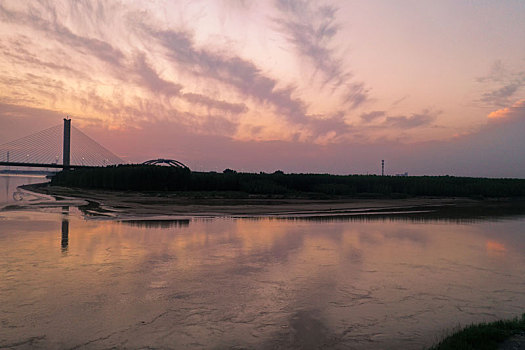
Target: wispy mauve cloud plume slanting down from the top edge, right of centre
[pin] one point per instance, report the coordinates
(310, 27)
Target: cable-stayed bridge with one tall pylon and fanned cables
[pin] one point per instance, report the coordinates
(61, 146)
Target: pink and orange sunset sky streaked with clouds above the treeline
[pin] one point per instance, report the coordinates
(431, 87)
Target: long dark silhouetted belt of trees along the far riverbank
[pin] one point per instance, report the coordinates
(159, 178)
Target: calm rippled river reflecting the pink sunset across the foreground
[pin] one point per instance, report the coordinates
(364, 283)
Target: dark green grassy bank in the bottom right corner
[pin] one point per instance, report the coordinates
(483, 336)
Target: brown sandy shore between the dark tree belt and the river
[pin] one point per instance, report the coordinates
(145, 204)
